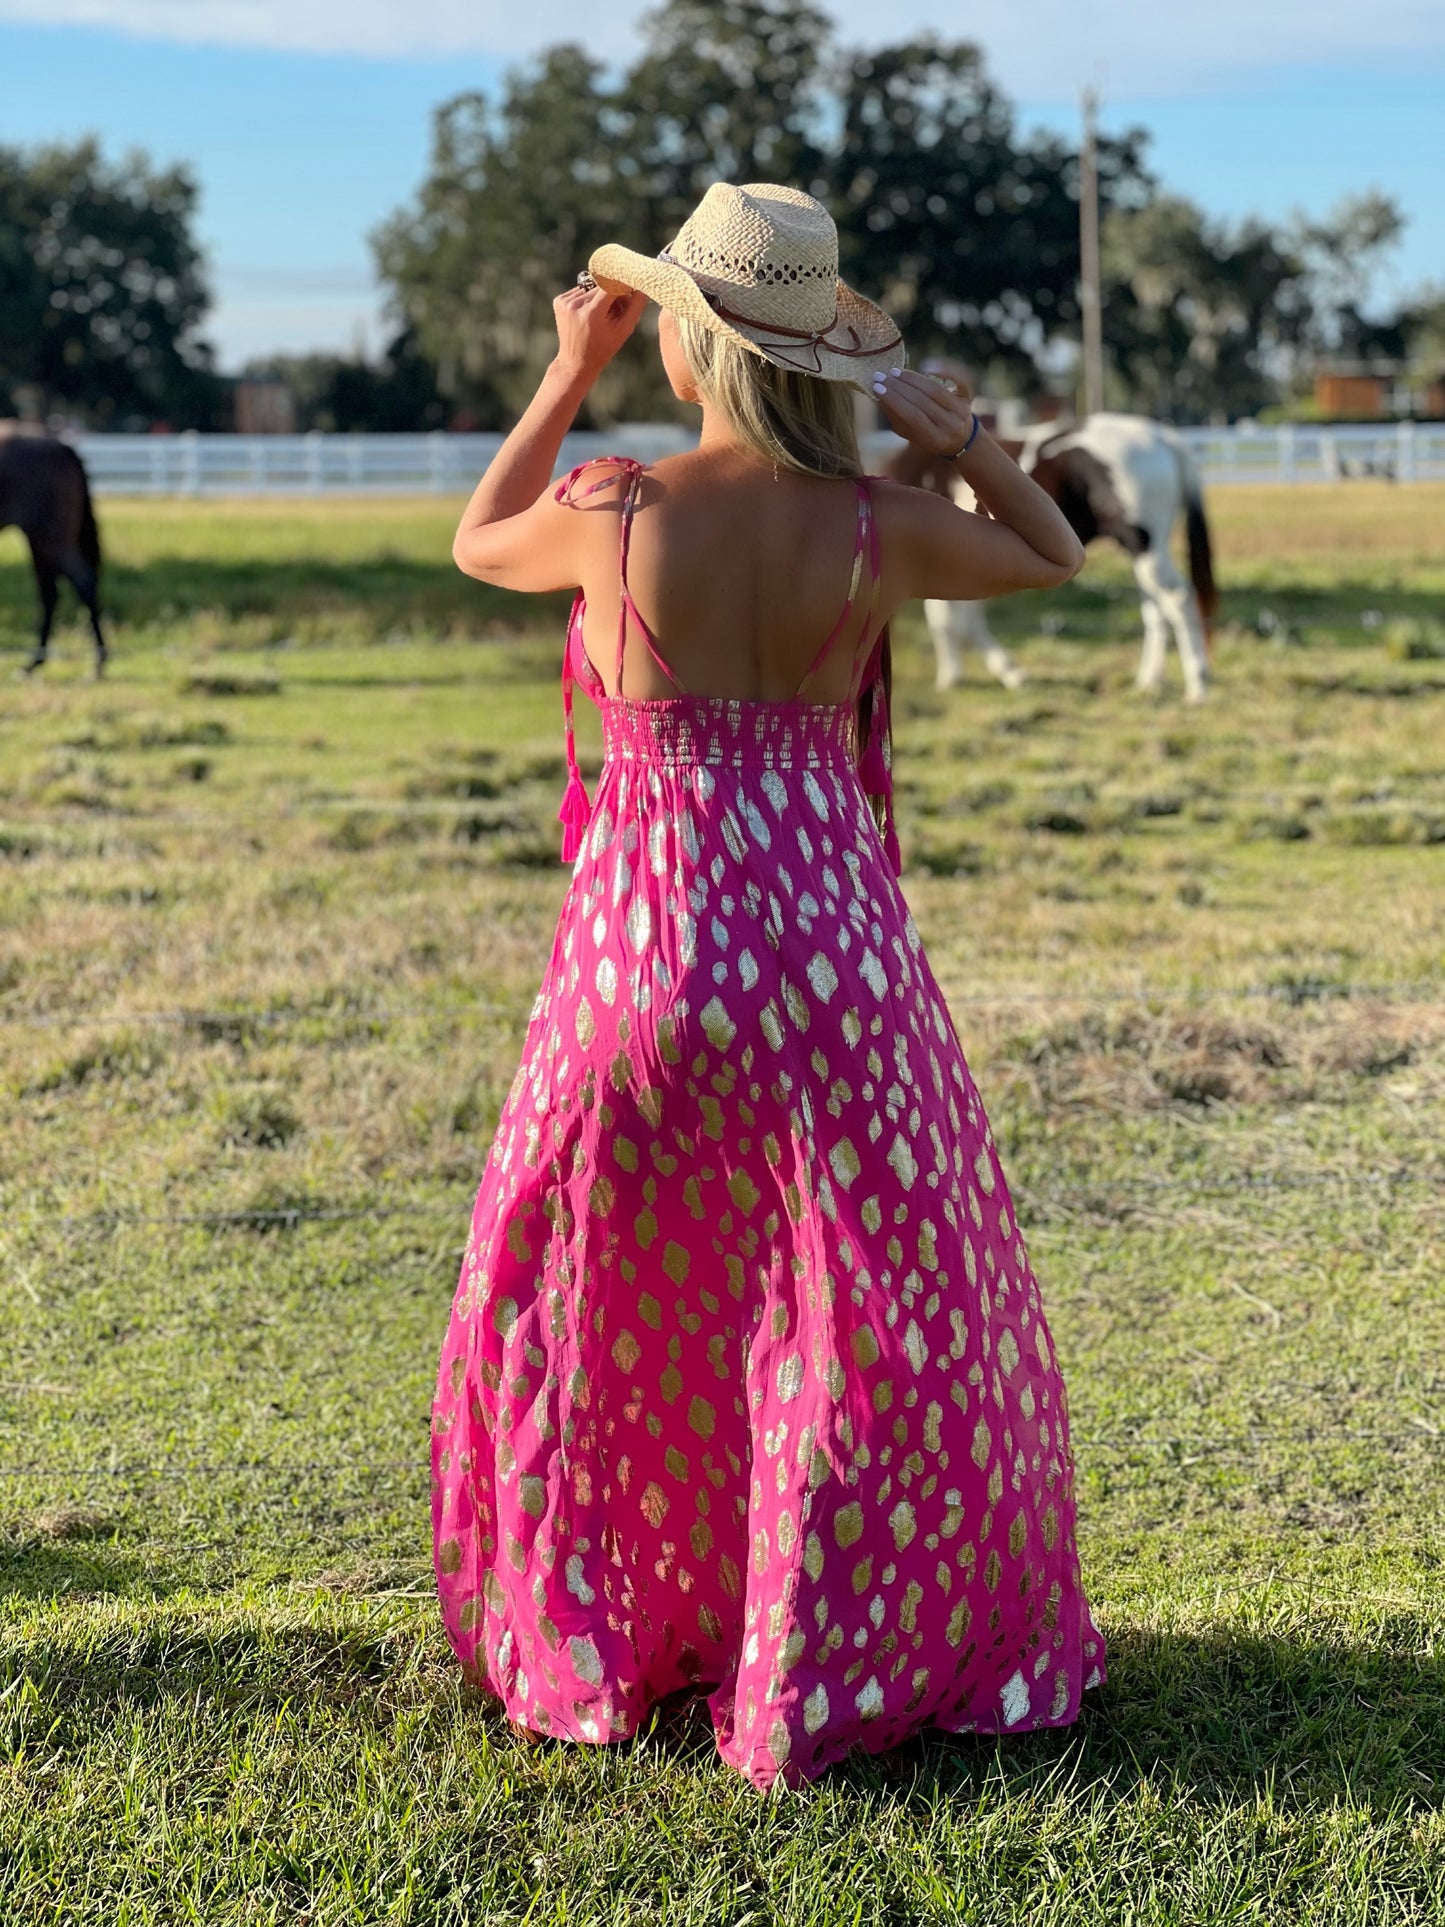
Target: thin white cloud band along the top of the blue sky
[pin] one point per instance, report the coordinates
(1041, 49)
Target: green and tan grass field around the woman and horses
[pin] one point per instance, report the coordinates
(275, 903)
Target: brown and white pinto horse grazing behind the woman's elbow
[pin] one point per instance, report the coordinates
(1115, 477)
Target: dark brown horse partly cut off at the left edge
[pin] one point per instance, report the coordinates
(45, 494)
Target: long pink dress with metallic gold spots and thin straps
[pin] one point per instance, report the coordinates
(749, 1385)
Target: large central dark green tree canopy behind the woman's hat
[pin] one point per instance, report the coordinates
(947, 213)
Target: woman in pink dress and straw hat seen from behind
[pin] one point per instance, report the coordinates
(749, 1385)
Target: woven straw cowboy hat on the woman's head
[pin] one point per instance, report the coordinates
(762, 265)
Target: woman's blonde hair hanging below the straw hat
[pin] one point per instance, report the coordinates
(787, 419)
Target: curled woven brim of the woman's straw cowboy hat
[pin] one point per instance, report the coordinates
(862, 342)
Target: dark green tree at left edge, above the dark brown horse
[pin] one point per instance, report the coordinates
(101, 288)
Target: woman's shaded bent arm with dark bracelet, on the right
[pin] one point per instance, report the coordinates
(1022, 542)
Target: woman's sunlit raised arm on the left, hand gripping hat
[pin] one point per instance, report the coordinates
(512, 533)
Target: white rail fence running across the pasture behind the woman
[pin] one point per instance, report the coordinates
(450, 465)
